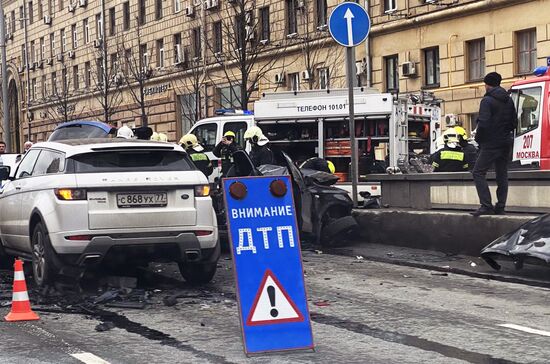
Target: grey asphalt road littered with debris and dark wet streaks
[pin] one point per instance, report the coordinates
(362, 312)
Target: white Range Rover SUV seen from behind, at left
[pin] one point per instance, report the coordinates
(77, 203)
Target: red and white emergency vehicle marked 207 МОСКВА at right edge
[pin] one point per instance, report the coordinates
(532, 139)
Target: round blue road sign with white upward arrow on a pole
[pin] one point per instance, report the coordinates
(349, 24)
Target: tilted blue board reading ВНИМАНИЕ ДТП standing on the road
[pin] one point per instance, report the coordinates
(268, 264)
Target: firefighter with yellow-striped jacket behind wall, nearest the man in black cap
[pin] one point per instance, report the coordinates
(452, 157)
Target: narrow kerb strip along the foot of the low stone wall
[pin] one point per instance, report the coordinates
(441, 263)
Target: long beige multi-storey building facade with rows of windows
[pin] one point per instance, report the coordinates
(168, 63)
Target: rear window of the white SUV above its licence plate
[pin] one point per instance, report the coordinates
(131, 161)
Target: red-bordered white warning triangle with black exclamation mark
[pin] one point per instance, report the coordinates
(272, 304)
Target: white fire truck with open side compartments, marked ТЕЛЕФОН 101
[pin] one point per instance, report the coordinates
(315, 123)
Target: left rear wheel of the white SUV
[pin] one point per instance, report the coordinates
(42, 265)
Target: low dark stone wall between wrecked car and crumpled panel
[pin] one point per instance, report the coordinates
(449, 232)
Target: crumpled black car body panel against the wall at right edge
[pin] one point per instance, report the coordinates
(530, 243)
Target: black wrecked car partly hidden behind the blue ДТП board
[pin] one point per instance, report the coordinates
(324, 211)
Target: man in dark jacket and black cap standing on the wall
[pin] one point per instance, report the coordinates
(495, 125)
